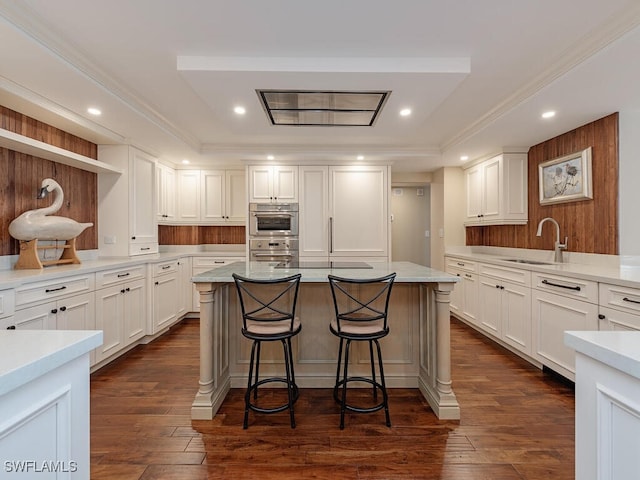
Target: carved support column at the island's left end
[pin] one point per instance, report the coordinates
(214, 382)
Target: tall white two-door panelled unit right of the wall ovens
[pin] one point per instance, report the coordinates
(344, 212)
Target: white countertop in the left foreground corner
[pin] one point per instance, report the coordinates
(28, 354)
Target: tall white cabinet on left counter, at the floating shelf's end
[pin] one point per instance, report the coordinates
(132, 194)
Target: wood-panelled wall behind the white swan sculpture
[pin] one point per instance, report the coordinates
(22, 176)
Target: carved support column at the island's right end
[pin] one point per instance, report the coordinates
(435, 351)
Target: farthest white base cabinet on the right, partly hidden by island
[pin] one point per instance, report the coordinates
(464, 298)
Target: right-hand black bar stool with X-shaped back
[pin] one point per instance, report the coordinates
(361, 307)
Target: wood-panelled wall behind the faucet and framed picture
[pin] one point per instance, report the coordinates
(591, 225)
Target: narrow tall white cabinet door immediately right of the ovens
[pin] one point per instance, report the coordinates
(313, 222)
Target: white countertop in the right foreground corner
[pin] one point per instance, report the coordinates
(620, 350)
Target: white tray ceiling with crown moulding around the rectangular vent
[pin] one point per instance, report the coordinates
(167, 74)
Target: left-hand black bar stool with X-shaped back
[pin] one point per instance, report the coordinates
(268, 315)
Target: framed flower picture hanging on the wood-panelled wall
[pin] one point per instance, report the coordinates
(566, 179)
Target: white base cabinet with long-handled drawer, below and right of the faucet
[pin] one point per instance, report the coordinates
(560, 304)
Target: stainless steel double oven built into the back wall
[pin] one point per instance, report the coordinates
(273, 232)
